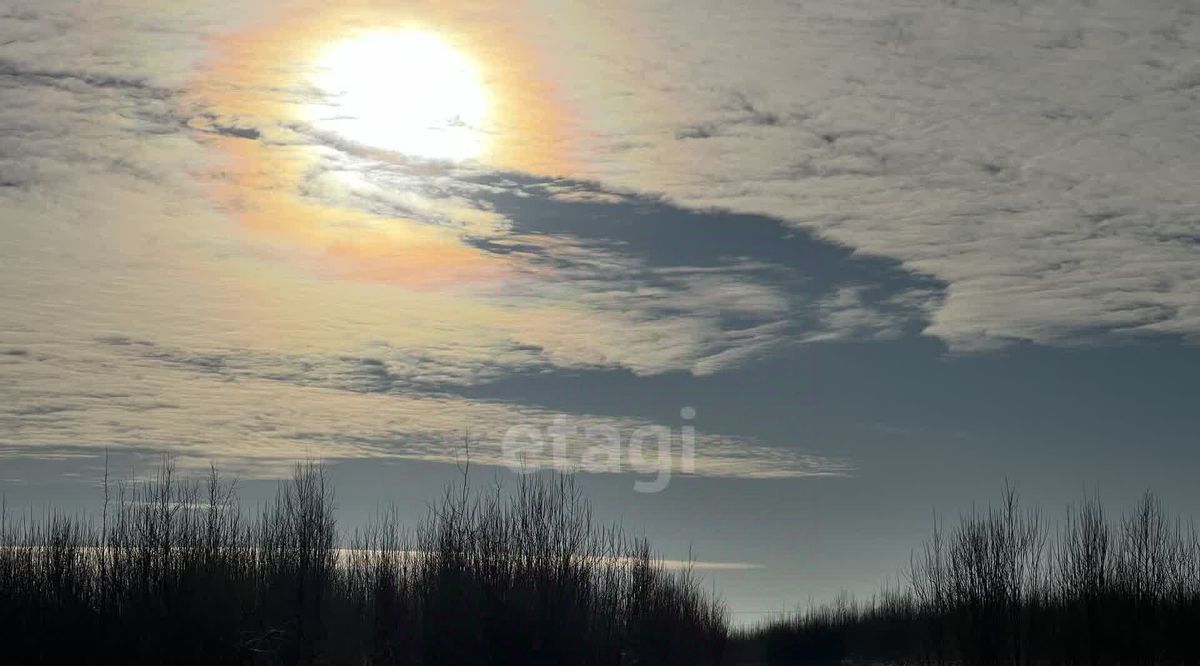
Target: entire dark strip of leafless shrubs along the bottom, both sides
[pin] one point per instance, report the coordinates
(178, 573)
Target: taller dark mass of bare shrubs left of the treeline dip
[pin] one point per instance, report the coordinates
(177, 573)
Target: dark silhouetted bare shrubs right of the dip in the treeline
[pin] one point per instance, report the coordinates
(1005, 587)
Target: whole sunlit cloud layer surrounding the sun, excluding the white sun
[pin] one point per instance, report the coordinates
(189, 265)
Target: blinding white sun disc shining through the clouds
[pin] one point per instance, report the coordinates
(407, 92)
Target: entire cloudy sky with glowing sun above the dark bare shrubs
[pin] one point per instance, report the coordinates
(832, 266)
